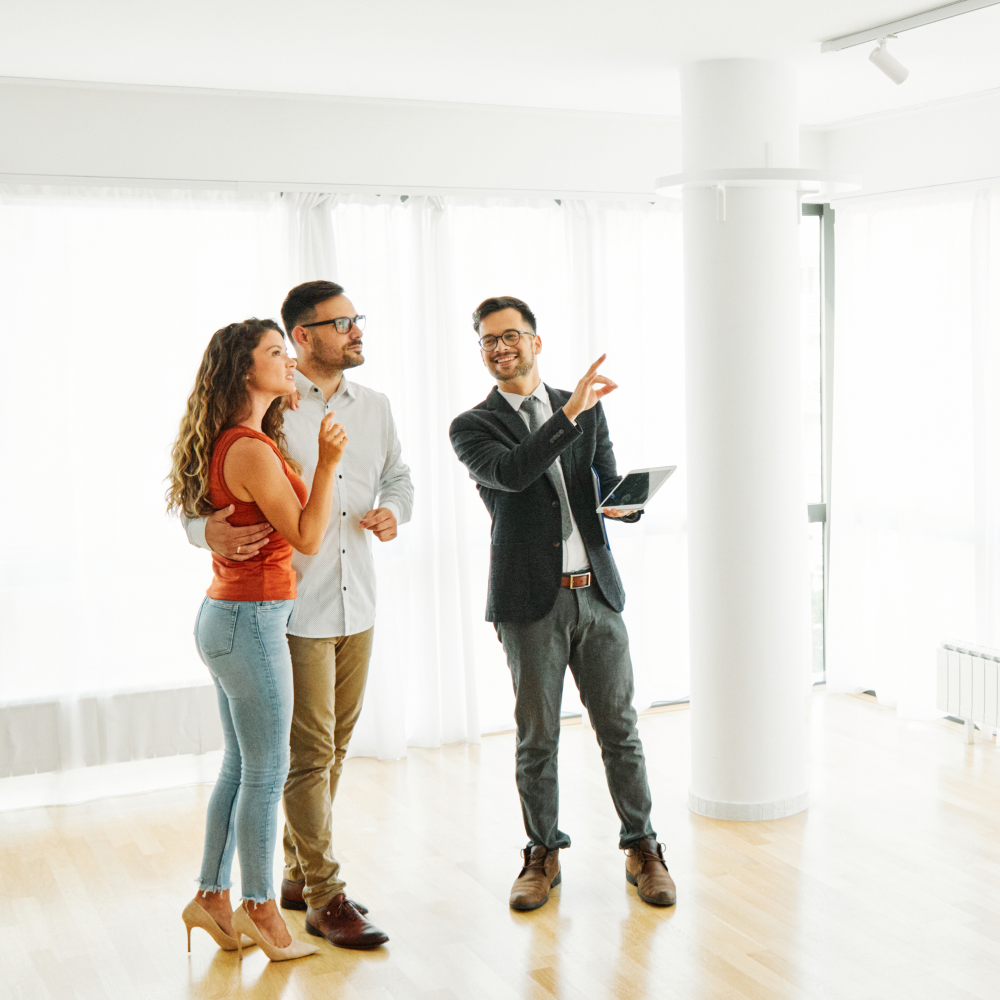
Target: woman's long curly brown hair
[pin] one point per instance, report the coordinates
(220, 400)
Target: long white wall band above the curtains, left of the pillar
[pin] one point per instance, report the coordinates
(168, 134)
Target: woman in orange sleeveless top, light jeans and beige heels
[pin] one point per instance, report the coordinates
(231, 451)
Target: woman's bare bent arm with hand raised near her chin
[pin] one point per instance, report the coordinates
(253, 473)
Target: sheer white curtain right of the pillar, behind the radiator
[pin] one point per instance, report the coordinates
(915, 504)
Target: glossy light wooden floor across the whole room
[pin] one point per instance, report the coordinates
(889, 886)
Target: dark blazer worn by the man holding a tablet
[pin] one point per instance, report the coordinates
(508, 464)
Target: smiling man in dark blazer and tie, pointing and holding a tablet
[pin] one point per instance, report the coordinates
(539, 457)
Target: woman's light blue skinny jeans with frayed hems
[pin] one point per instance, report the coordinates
(243, 644)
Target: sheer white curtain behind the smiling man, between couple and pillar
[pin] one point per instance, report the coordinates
(600, 277)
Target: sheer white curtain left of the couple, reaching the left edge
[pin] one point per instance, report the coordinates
(108, 298)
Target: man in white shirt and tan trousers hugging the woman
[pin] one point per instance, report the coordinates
(331, 628)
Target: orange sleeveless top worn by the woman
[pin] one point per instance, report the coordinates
(267, 575)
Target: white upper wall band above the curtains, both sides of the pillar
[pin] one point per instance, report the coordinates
(172, 135)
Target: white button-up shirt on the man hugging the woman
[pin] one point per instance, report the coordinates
(336, 587)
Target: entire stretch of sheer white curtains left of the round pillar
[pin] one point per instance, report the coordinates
(109, 297)
